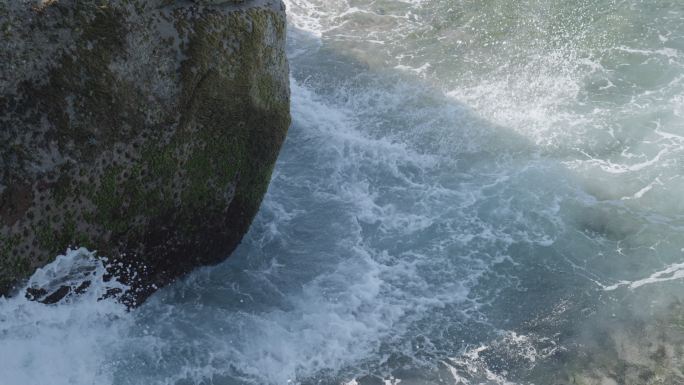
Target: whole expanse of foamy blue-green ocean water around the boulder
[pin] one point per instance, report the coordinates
(471, 192)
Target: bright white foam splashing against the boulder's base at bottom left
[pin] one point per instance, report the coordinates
(65, 343)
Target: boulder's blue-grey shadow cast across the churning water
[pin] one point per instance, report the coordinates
(405, 235)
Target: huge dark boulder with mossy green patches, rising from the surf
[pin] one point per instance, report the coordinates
(144, 129)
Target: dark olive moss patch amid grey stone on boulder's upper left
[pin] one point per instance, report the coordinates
(99, 99)
